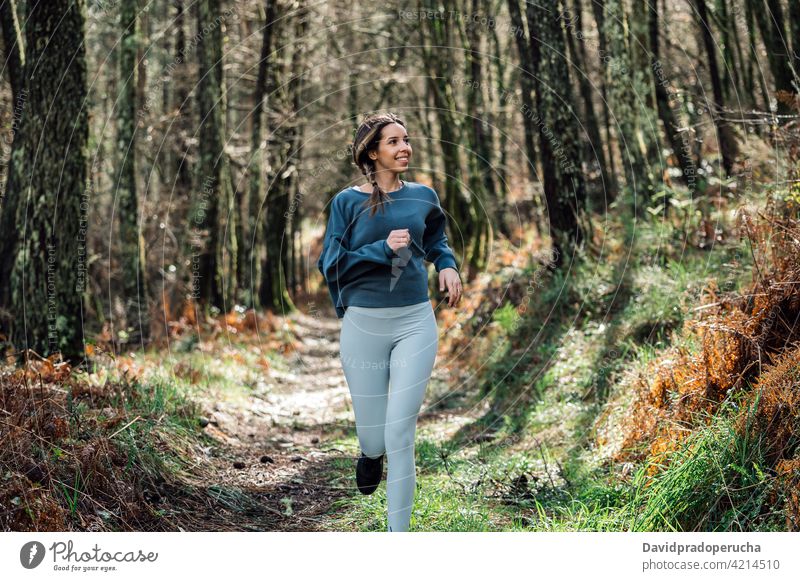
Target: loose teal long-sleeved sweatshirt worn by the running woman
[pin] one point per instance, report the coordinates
(360, 267)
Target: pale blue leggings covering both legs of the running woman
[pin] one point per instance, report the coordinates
(379, 345)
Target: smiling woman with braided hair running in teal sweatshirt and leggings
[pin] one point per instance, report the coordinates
(373, 260)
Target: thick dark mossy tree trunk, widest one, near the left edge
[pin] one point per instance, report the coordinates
(49, 273)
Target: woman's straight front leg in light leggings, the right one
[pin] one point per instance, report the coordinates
(412, 360)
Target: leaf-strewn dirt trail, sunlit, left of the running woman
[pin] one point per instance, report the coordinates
(268, 468)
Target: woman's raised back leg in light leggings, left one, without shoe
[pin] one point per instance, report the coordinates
(365, 345)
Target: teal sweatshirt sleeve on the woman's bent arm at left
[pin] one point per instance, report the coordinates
(338, 261)
